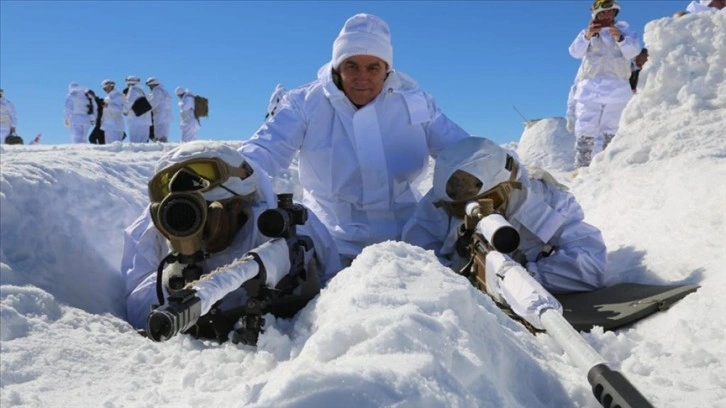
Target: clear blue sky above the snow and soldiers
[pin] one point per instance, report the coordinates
(478, 58)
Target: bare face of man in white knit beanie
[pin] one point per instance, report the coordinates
(362, 78)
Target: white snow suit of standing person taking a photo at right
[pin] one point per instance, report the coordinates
(602, 87)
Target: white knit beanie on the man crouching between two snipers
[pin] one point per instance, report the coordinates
(363, 34)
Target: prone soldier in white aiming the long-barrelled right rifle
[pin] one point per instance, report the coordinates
(557, 248)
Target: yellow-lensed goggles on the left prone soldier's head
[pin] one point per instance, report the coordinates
(195, 175)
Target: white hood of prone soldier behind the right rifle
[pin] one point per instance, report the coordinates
(477, 156)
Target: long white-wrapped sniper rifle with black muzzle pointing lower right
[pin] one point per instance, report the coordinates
(488, 237)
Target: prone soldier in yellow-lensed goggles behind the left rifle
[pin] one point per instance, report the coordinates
(205, 201)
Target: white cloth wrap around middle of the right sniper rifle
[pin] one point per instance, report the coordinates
(527, 298)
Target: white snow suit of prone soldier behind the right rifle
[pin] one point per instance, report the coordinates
(542, 212)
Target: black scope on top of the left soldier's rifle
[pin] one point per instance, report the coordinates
(280, 222)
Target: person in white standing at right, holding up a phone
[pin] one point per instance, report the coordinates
(602, 85)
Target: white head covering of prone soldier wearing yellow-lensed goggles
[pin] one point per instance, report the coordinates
(205, 149)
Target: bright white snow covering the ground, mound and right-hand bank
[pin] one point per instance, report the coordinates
(395, 328)
